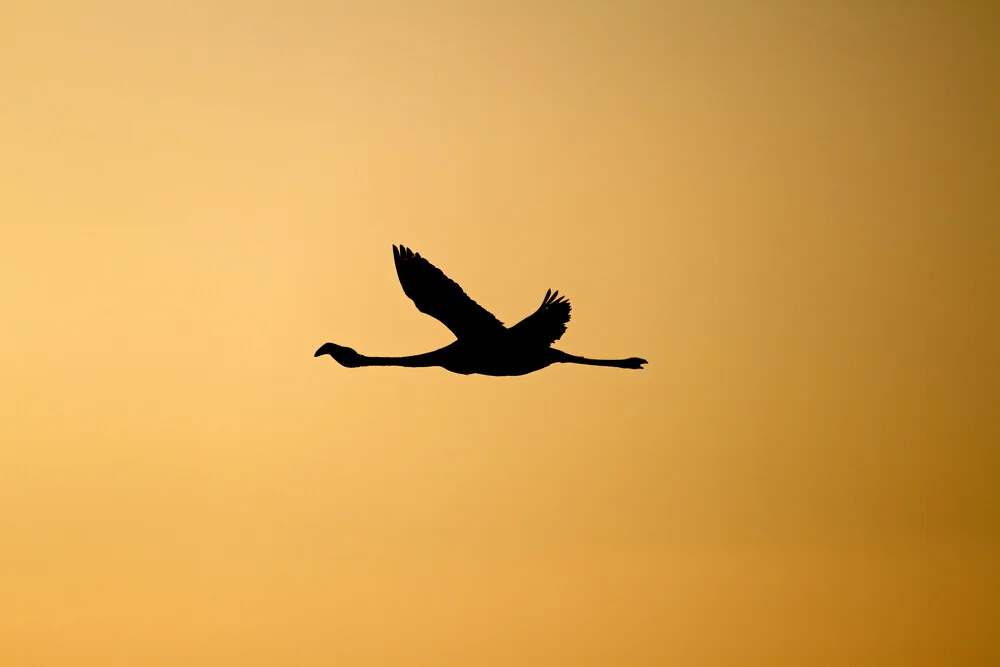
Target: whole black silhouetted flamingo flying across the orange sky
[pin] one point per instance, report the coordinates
(483, 344)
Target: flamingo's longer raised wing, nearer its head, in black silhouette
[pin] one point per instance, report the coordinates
(440, 297)
